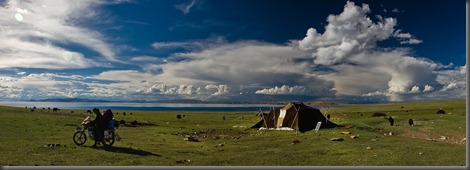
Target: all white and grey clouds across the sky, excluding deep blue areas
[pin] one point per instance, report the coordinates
(50, 50)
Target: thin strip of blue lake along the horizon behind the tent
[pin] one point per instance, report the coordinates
(144, 106)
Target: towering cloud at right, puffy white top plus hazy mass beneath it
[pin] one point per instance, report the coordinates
(360, 68)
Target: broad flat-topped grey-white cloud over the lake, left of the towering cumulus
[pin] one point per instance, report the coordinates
(248, 64)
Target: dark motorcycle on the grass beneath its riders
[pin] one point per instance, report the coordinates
(80, 136)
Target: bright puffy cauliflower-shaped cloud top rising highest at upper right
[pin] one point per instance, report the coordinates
(346, 34)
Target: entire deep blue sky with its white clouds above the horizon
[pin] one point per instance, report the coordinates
(233, 50)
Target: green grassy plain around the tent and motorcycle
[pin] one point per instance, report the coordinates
(158, 138)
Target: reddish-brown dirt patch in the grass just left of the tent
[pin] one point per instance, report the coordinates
(214, 134)
